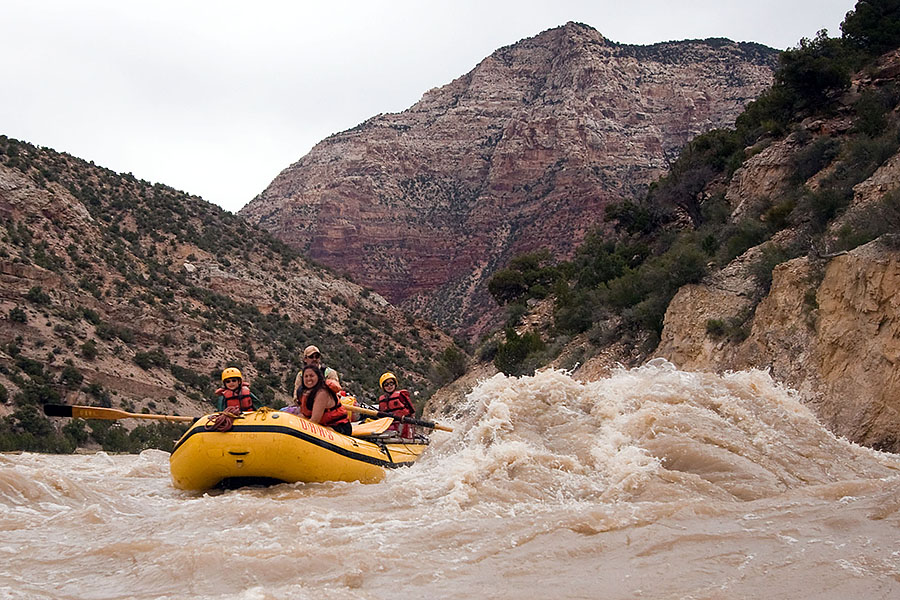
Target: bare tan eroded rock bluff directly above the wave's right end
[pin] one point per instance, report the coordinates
(828, 328)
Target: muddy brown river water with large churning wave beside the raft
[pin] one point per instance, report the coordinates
(653, 483)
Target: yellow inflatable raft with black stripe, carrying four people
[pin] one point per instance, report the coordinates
(275, 446)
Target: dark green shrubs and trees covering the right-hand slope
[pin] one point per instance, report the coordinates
(629, 276)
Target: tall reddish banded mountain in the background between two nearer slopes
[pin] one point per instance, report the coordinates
(523, 152)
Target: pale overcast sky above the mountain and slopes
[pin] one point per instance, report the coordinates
(215, 98)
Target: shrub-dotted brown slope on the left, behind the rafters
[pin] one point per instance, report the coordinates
(116, 292)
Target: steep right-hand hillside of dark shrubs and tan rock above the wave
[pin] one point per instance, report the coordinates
(773, 245)
